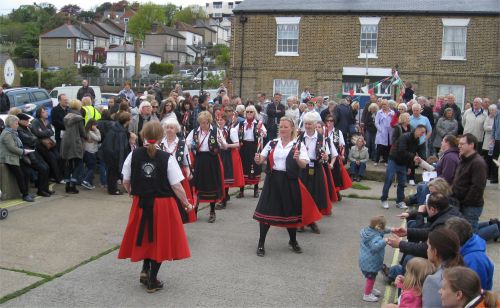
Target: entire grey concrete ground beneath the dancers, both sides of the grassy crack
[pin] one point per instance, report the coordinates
(61, 251)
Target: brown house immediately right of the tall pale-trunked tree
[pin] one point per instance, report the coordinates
(168, 43)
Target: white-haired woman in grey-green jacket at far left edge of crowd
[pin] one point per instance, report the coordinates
(11, 153)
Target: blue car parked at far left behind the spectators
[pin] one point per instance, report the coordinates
(29, 99)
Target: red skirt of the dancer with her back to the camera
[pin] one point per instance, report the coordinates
(169, 239)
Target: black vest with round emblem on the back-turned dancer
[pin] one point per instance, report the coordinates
(149, 175)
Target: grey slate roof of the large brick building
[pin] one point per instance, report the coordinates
(477, 7)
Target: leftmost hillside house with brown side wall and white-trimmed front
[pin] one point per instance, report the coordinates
(66, 46)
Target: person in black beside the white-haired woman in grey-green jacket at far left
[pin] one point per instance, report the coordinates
(36, 162)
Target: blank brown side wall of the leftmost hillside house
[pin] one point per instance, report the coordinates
(55, 53)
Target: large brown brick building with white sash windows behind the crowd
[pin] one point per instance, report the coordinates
(440, 46)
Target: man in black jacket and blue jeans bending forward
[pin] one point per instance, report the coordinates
(401, 155)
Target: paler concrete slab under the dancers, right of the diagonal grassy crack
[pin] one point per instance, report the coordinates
(224, 270)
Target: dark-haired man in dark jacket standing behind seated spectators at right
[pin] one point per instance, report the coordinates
(470, 180)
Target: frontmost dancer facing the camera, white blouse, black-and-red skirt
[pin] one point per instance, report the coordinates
(284, 201)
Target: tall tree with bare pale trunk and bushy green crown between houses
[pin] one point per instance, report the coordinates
(140, 24)
